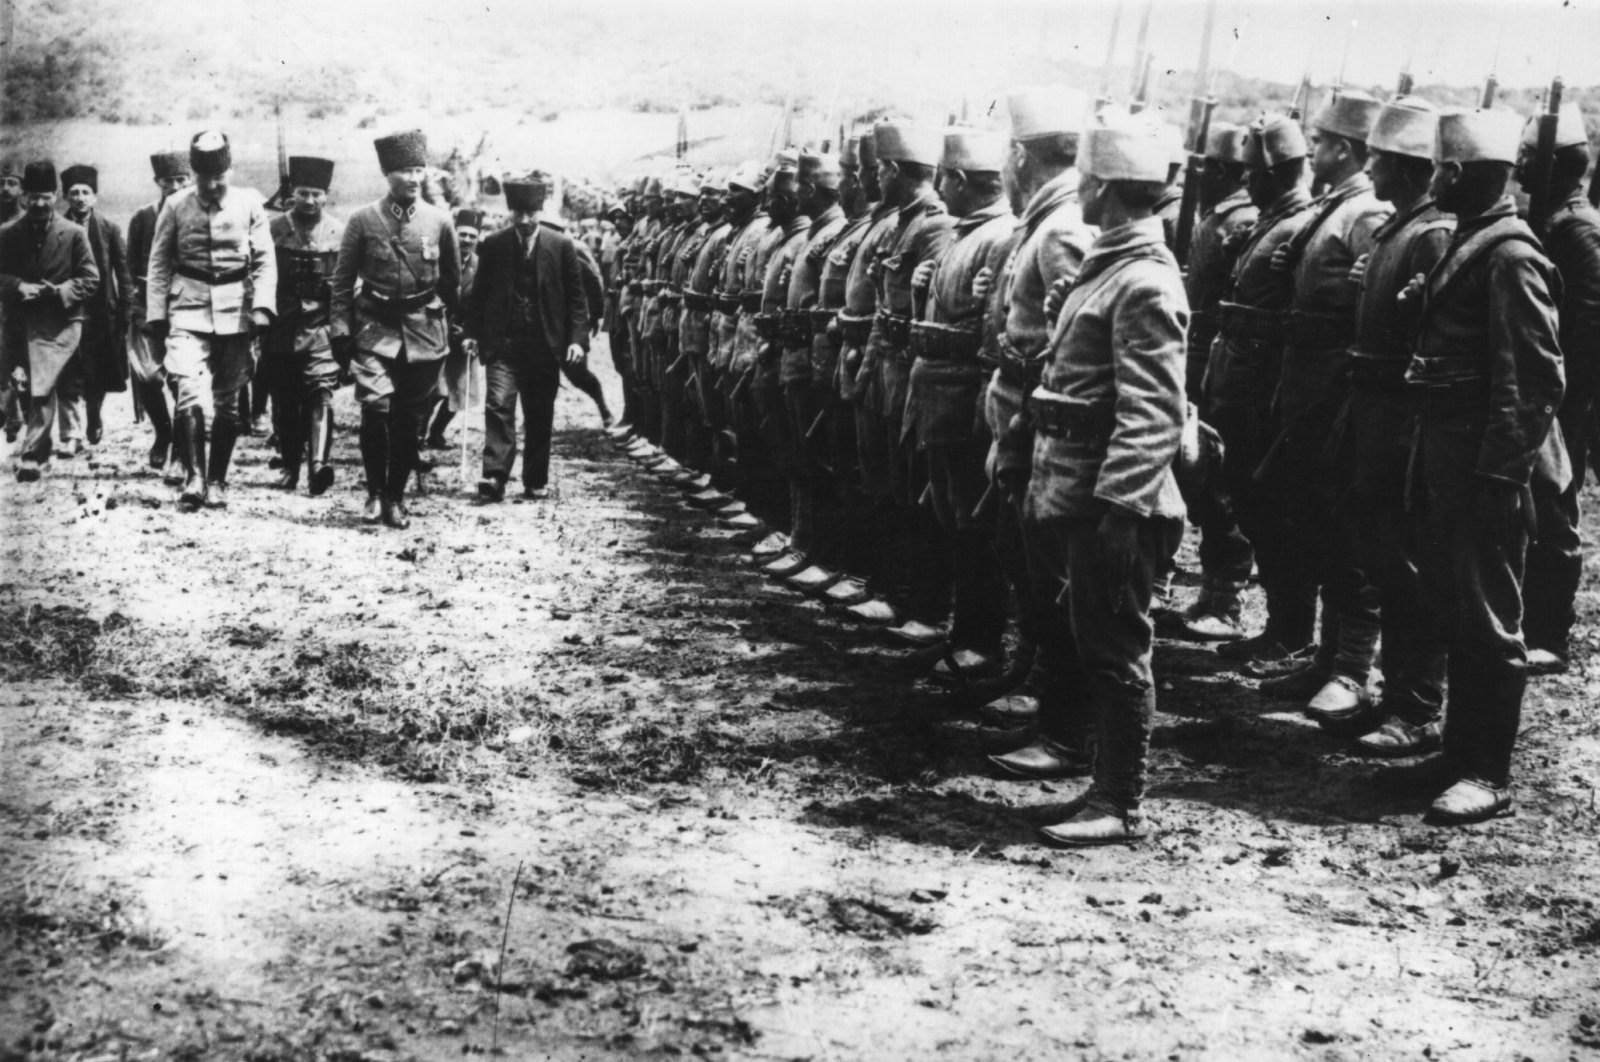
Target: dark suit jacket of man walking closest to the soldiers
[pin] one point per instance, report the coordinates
(559, 279)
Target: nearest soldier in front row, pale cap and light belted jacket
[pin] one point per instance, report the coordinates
(1103, 506)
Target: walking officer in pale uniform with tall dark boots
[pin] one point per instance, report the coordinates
(212, 268)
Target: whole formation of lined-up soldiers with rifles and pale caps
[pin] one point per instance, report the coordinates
(1375, 397)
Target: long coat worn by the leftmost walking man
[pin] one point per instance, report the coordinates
(44, 333)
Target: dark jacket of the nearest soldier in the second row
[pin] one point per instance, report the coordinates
(1487, 373)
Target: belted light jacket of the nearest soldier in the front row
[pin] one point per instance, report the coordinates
(1118, 362)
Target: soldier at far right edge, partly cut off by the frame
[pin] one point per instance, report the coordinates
(1572, 239)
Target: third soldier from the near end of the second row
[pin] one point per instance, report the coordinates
(1319, 330)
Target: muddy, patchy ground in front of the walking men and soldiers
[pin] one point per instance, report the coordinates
(281, 786)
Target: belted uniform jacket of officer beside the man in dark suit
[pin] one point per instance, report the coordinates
(398, 254)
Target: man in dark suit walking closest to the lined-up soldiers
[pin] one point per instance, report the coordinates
(529, 314)
